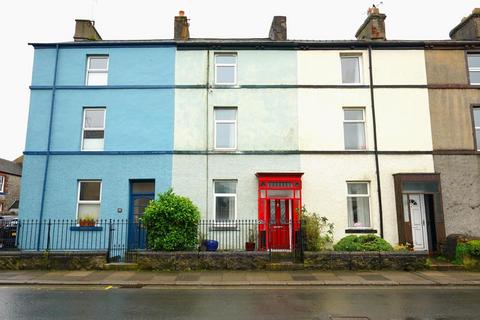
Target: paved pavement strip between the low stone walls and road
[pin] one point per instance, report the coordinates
(139, 279)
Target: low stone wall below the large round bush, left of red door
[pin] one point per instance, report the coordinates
(183, 261)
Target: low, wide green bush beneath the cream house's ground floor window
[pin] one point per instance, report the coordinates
(362, 243)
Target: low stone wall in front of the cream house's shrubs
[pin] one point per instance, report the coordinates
(326, 260)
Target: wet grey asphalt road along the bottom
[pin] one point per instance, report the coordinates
(237, 303)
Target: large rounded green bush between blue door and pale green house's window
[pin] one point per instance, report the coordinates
(171, 222)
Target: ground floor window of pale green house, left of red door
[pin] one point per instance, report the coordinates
(225, 200)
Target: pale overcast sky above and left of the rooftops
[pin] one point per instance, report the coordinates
(23, 21)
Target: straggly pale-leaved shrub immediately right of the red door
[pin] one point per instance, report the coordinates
(318, 232)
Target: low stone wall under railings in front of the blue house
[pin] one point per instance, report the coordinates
(18, 260)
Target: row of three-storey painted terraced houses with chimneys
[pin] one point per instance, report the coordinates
(380, 136)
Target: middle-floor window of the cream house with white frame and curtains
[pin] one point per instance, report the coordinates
(354, 128)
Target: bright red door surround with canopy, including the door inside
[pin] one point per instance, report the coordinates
(279, 208)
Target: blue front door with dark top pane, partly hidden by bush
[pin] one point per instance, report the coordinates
(141, 192)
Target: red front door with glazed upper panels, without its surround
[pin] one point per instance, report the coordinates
(279, 223)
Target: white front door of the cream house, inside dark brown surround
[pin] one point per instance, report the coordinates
(423, 236)
